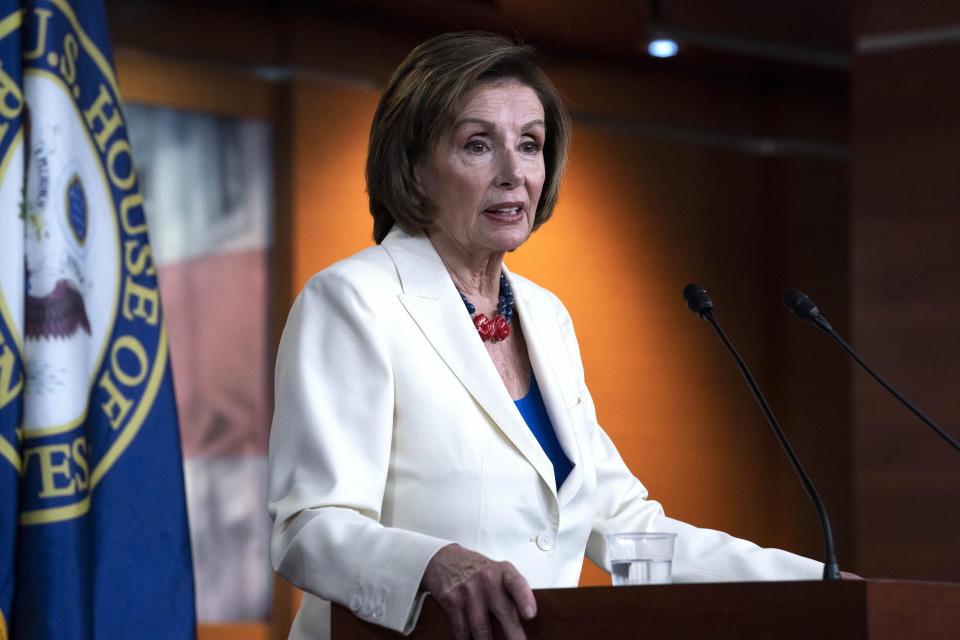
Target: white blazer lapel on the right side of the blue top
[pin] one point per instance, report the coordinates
(548, 357)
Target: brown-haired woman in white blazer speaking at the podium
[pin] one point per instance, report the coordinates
(401, 461)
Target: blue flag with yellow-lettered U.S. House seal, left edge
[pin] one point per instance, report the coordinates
(93, 524)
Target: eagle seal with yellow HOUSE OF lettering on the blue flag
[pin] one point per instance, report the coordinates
(92, 335)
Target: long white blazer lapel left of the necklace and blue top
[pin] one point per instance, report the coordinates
(433, 302)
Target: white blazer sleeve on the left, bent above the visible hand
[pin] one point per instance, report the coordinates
(330, 446)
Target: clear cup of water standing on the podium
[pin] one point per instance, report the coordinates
(640, 558)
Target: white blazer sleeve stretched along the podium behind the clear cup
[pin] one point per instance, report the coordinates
(700, 555)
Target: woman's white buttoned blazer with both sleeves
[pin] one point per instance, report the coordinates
(393, 435)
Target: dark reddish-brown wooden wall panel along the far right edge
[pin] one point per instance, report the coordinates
(905, 279)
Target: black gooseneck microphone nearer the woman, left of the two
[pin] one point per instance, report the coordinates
(699, 302)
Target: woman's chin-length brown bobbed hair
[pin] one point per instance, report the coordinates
(419, 104)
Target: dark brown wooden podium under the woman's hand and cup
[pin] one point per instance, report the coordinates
(851, 610)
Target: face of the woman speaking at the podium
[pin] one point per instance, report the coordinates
(485, 175)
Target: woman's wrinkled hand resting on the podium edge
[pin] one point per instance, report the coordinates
(470, 586)
